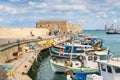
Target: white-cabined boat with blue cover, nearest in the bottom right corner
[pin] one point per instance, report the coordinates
(109, 69)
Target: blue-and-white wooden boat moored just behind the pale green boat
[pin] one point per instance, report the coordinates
(64, 51)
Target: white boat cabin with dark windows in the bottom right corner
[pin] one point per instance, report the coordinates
(110, 69)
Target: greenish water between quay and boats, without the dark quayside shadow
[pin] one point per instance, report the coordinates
(45, 72)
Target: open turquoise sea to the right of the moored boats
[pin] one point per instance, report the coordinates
(111, 40)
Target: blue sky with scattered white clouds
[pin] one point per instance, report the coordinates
(90, 14)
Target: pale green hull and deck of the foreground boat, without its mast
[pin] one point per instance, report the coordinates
(60, 65)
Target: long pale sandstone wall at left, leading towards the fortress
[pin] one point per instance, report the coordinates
(22, 32)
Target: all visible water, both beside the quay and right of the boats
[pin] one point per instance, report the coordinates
(44, 72)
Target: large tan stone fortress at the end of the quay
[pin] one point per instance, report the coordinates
(57, 25)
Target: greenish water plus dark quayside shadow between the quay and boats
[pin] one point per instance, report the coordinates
(41, 69)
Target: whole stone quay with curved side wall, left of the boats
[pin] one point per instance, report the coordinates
(22, 63)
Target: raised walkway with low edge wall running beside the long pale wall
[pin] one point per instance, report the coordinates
(8, 43)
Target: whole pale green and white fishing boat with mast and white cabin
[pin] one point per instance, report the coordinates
(83, 63)
